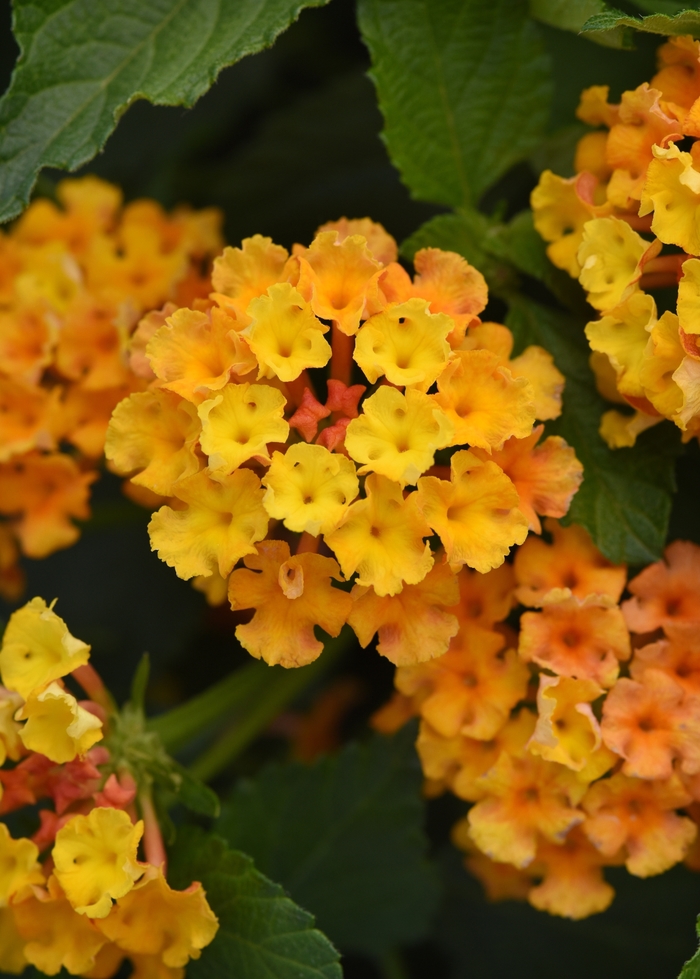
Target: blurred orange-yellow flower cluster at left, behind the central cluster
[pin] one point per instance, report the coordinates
(73, 283)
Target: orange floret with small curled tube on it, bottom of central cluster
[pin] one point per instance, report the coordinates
(290, 596)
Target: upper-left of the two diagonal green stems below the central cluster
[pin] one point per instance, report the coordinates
(179, 725)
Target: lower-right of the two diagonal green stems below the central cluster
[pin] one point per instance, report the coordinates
(284, 685)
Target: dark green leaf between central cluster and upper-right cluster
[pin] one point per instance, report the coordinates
(626, 495)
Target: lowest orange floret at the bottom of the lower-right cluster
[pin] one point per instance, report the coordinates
(572, 883)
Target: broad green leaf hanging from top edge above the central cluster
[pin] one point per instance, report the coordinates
(464, 87)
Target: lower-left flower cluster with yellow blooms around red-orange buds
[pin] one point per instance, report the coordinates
(75, 894)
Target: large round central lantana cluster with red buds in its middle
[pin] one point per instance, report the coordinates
(264, 451)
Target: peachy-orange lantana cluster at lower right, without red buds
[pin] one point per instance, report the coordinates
(577, 737)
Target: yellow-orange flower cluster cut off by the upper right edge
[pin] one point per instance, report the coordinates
(628, 223)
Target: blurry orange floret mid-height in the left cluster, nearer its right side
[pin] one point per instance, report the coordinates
(92, 344)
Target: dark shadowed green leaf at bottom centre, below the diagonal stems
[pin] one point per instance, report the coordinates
(345, 838)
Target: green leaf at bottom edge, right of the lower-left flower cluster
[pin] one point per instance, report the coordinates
(262, 933)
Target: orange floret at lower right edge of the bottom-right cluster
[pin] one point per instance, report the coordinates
(638, 816)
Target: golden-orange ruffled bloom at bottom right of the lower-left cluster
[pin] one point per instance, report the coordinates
(153, 919)
